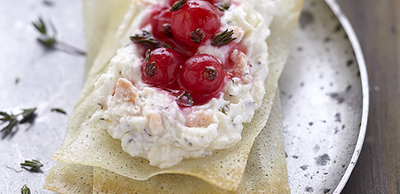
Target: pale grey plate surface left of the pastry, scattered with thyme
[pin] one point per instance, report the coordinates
(47, 79)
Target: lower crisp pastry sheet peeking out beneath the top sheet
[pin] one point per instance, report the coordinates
(265, 171)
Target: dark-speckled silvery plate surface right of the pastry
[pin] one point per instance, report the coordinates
(322, 102)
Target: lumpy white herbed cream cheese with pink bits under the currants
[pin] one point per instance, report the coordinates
(148, 120)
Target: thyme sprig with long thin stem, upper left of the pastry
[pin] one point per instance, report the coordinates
(50, 41)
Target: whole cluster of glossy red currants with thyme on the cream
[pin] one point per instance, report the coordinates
(171, 62)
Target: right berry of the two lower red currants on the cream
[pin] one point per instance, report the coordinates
(202, 74)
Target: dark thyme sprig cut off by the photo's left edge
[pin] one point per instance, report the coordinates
(12, 119)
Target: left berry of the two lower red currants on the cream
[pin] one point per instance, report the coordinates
(161, 67)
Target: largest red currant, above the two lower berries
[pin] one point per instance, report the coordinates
(195, 22)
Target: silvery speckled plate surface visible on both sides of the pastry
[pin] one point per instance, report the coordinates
(320, 91)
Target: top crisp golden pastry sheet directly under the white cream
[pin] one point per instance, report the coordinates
(86, 145)
